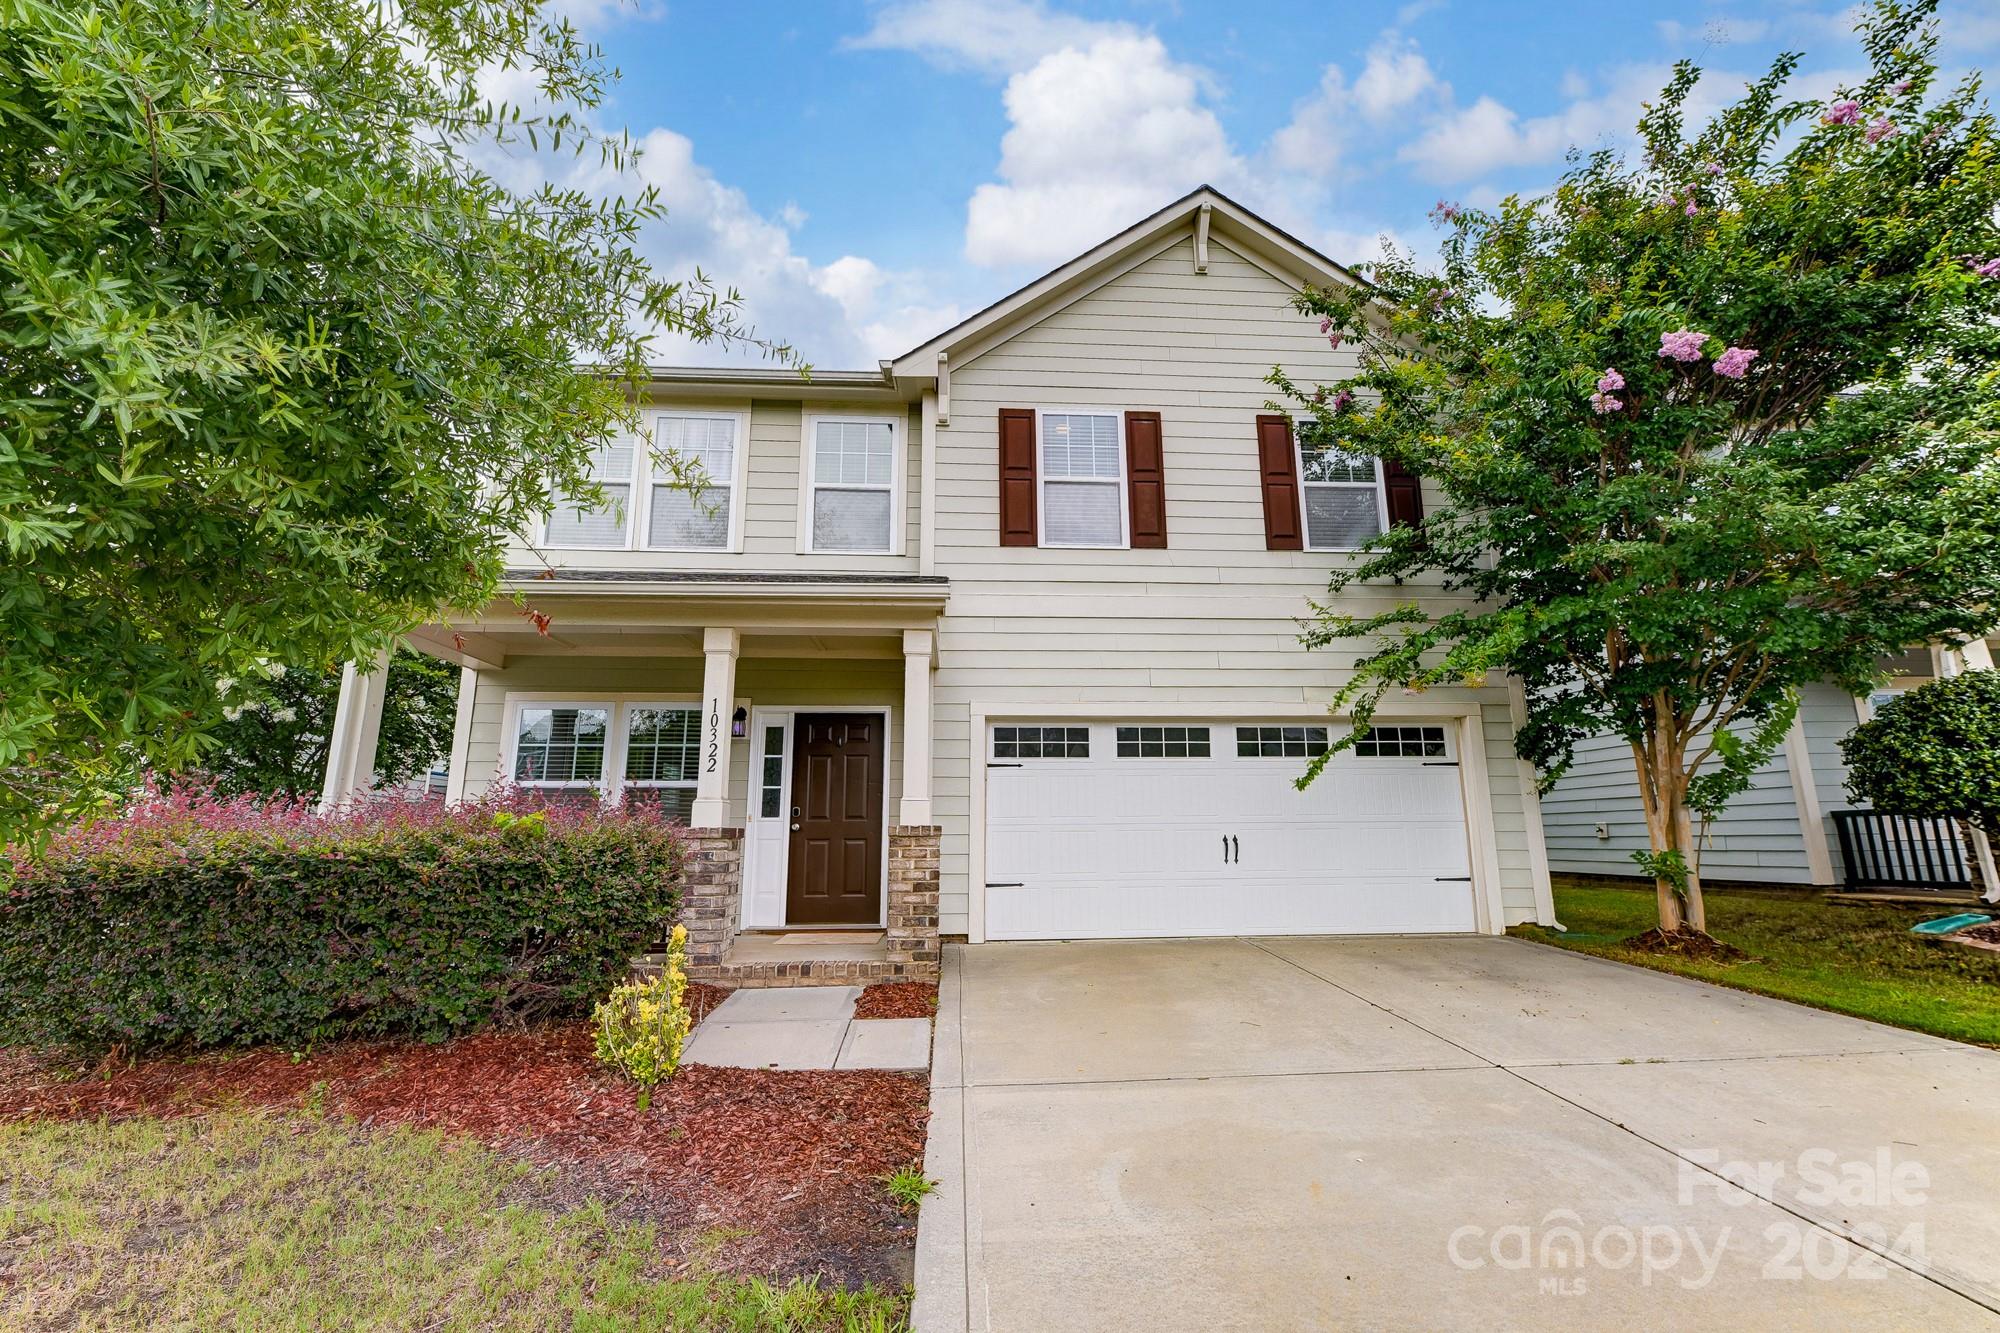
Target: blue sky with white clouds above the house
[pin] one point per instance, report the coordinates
(867, 173)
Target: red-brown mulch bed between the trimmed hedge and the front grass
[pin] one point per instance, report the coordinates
(787, 1166)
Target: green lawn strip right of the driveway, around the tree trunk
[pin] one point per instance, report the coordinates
(1849, 960)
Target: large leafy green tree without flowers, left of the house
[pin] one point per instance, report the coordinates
(281, 365)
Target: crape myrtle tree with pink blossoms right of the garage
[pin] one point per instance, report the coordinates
(1709, 427)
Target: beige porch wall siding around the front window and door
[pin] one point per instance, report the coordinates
(761, 684)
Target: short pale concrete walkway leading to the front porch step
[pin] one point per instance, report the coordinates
(807, 1028)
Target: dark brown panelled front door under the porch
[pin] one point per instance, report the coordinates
(837, 820)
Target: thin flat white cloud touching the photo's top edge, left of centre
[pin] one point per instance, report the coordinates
(995, 37)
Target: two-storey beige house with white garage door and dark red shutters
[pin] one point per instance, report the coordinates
(1011, 621)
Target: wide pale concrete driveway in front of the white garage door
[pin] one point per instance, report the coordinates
(1295, 1134)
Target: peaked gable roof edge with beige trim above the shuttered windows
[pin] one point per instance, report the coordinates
(1263, 243)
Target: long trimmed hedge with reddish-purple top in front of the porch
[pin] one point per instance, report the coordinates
(197, 922)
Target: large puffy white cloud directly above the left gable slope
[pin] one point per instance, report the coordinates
(1101, 137)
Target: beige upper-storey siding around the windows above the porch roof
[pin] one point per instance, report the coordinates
(773, 481)
